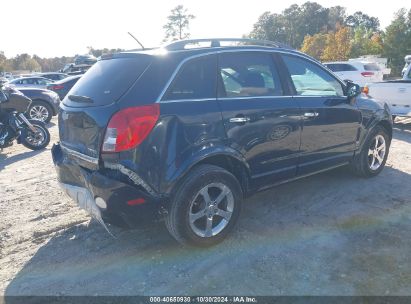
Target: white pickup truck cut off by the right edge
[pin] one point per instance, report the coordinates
(396, 93)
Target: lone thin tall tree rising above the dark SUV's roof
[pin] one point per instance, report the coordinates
(178, 24)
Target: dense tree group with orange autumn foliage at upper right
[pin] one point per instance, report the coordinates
(329, 34)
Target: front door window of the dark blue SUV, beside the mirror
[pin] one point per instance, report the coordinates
(310, 79)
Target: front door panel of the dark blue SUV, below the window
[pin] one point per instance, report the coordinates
(329, 137)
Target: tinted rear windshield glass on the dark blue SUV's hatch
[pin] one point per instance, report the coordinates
(107, 80)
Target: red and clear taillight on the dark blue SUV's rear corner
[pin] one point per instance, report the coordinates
(129, 127)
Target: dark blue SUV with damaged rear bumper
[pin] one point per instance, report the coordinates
(184, 133)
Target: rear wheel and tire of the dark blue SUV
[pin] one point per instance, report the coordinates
(190, 199)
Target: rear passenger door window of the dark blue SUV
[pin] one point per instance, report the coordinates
(248, 74)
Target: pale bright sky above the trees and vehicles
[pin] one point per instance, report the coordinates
(51, 28)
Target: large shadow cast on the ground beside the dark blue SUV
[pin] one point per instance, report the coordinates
(331, 234)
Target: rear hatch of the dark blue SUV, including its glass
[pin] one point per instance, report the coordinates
(88, 107)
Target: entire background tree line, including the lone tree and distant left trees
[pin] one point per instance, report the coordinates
(328, 34)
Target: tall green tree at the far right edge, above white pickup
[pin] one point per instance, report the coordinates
(397, 40)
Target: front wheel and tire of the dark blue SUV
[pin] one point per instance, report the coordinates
(366, 164)
